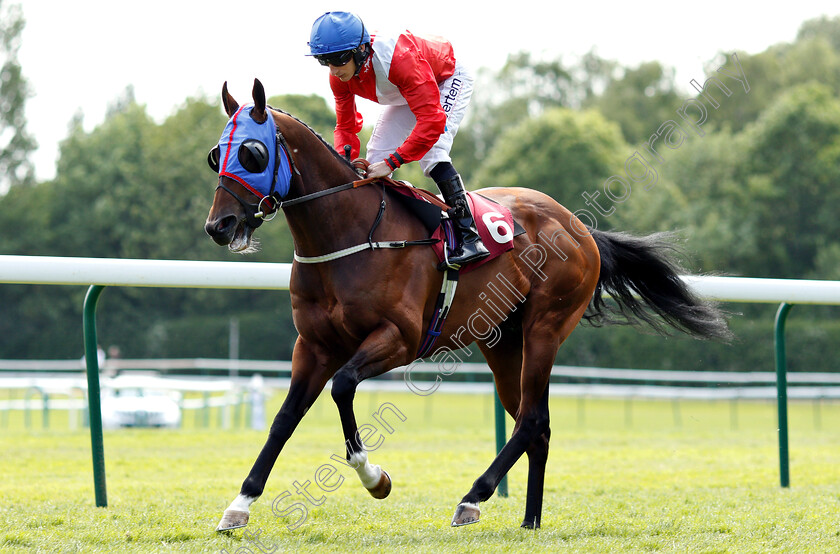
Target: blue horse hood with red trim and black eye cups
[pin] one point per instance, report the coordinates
(242, 127)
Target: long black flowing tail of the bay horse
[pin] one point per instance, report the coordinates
(642, 277)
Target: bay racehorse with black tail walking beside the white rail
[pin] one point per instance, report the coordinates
(361, 315)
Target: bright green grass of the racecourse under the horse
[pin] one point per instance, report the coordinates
(621, 477)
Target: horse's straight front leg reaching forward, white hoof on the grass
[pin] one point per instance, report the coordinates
(308, 380)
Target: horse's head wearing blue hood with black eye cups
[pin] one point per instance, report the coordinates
(254, 172)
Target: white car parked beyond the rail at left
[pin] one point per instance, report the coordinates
(140, 407)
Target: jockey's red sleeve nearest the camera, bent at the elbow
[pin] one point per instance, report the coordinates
(413, 75)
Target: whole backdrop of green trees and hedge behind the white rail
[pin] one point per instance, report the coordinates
(755, 196)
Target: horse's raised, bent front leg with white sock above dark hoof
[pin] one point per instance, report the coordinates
(383, 350)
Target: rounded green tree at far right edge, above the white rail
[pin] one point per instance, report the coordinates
(795, 148)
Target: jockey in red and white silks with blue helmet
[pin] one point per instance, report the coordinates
(425, 92)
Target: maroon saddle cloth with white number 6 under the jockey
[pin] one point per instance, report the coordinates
(494, 222)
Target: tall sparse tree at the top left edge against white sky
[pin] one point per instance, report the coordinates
(15, 142)
